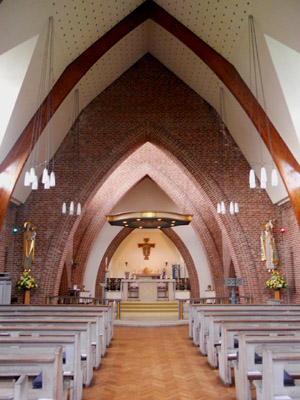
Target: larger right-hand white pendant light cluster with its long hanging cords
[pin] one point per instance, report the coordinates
(255, 69)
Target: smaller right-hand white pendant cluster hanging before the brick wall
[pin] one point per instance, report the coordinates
(226, 156)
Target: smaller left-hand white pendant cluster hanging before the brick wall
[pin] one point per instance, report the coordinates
(76, 158)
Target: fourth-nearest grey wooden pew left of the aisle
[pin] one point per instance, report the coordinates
(62, 321)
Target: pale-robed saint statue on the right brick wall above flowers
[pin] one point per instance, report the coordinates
(268, 247)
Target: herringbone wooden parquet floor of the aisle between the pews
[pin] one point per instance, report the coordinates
(158, 363)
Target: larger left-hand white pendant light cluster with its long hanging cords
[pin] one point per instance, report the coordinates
(45, 86)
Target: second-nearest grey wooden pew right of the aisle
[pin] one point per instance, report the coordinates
(250, 348)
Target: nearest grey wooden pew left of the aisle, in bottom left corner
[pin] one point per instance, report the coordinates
(17, 362)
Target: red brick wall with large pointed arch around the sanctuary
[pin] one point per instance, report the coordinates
(149, 104)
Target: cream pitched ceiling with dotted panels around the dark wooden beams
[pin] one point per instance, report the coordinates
(223, 24)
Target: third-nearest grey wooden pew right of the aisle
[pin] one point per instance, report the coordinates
(227, 352)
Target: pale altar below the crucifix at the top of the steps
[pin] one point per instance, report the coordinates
(148, 290)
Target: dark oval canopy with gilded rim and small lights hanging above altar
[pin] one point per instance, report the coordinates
(149, 219)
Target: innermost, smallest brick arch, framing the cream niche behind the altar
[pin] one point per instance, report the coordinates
(172, 235)
